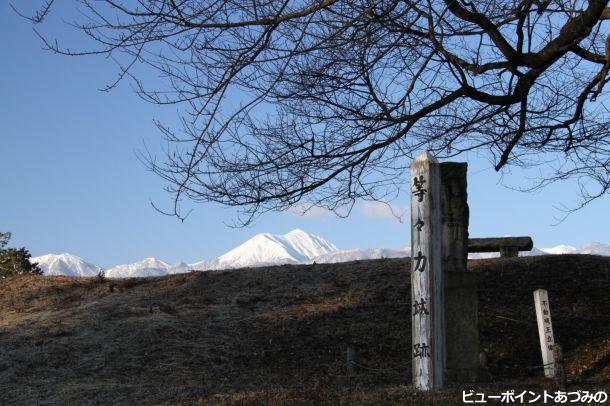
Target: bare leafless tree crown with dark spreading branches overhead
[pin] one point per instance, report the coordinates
(322, 102)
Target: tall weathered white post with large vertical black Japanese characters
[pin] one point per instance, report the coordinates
(426, 274)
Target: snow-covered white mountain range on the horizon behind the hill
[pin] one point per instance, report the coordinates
(264, 249)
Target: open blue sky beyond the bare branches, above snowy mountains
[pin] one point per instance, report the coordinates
(71, 182)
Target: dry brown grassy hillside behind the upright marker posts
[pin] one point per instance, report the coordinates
(279, 335)
